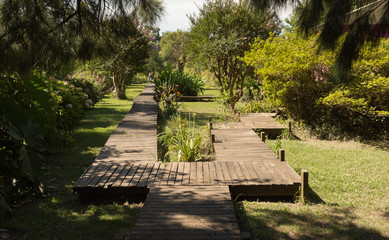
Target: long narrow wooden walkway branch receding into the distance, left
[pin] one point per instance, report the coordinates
(135, 139)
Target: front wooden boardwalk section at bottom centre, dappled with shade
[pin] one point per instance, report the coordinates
(177, 212)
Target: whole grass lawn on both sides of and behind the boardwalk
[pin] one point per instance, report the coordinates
(349, 196)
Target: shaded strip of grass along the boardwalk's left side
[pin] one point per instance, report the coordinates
(60, 215)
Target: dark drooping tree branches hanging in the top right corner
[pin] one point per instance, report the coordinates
(365, 25)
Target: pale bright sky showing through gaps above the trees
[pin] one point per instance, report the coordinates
(176, 11)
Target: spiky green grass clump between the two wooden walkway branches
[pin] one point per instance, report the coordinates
(181, 139)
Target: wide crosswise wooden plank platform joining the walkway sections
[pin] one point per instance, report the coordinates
(106, 175)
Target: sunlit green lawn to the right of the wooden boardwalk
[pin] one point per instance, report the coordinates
(349, 195)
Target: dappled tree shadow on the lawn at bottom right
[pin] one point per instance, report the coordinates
(265, 222)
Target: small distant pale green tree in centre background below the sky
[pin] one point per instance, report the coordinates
(174, 48)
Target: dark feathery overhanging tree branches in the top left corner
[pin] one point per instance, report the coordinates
(45, 34)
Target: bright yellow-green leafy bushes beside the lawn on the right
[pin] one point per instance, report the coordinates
(296, 78)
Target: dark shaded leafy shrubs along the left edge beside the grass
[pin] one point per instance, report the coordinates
(36, 113)
